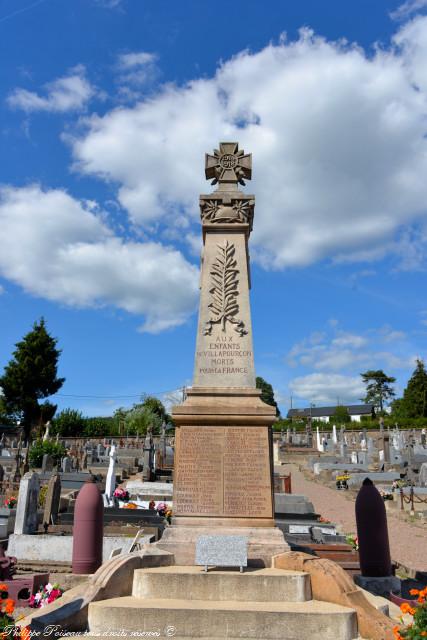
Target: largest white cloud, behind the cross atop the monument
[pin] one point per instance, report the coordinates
(337, 136)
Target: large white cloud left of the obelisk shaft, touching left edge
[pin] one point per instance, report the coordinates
(57, 247)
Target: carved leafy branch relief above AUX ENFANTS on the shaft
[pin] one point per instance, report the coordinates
(224, 291)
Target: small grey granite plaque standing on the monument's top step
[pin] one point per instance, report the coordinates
(222, 551)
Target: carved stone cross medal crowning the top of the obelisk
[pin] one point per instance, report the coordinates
(228, 166)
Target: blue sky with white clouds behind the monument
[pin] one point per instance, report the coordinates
(107, 108)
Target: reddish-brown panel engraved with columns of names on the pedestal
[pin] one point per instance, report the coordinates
(223, 471)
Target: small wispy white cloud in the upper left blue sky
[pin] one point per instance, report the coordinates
(69, 93)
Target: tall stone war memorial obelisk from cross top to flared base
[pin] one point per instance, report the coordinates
(223, 458)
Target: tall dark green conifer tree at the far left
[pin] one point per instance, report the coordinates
(31, 375)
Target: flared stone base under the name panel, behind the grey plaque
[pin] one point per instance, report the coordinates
(264, 542)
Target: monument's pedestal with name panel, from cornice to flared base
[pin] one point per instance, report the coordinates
(223, 479)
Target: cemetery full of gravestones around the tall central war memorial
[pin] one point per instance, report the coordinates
(199, 534)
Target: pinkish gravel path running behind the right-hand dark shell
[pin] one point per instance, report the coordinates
(408, 543)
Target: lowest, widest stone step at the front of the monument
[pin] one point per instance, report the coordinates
(219, 619)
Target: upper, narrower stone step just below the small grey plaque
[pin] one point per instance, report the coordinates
(193, 583)
